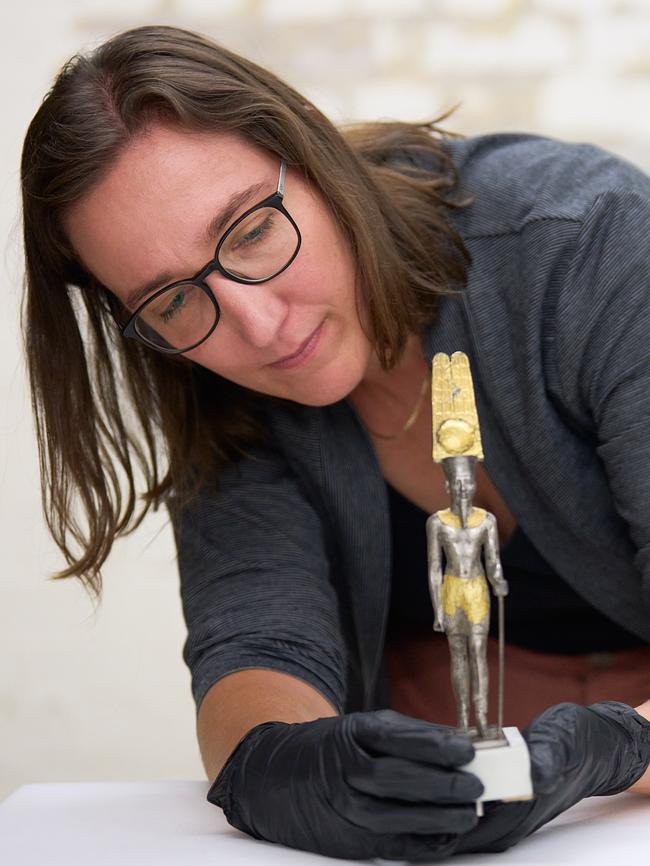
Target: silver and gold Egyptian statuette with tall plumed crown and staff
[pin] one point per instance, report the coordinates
(460, 596)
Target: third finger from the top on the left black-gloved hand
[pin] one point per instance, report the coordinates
(377, 815)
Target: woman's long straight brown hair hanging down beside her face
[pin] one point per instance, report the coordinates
(108, 409)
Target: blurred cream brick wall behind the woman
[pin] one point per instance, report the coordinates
(105, 695)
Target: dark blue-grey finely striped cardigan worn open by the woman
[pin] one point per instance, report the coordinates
(287, 566)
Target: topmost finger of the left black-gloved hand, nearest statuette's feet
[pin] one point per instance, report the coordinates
(387, 732)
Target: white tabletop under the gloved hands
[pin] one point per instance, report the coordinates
(159, 823)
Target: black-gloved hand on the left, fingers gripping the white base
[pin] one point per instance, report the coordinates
(362, 785)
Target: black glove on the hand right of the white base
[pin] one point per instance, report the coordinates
(575, 752)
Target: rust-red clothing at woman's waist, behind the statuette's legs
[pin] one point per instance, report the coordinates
(420, 683)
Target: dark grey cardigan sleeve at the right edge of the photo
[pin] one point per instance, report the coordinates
(602, 330)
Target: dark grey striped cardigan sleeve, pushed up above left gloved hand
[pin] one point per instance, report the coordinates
(255, 581)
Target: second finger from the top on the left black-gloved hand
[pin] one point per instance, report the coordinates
(404, 780)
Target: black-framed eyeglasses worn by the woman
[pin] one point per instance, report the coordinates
(258, 246)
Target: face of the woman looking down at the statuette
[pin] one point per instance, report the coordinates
(145, 224)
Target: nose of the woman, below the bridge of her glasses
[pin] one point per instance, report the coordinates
(253, 312)
